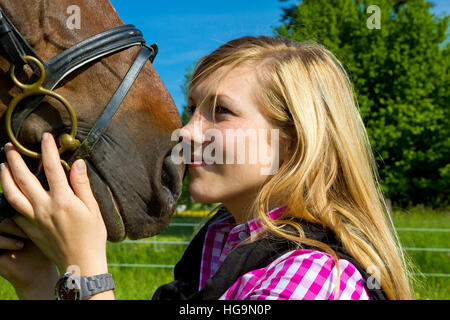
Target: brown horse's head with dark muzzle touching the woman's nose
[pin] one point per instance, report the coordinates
(130, 169)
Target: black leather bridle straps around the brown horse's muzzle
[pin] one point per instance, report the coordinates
(14, 48)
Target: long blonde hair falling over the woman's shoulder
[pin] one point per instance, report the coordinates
(330, 177)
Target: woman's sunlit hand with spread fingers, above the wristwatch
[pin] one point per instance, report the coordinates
(65, 224)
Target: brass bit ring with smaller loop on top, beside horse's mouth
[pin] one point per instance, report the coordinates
(67, 141)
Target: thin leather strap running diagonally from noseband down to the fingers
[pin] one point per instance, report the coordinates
(113, 105)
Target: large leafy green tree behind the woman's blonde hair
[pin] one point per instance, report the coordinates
(401, 77)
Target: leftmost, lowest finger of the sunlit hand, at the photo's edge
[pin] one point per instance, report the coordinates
(13, 194)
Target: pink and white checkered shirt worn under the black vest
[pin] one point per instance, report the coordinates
(298, 274)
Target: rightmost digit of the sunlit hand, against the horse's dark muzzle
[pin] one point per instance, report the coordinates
(81, 186)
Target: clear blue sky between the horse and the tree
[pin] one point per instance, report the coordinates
(187, 30)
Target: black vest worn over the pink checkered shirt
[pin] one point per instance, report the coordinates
(244, 258)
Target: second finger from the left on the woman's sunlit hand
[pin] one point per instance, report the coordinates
(24, 179)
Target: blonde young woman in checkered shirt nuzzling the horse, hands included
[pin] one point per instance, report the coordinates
(316, 227)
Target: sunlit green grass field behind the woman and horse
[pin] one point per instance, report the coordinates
(141, 282)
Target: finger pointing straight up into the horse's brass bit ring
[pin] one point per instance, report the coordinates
(54, 171)
